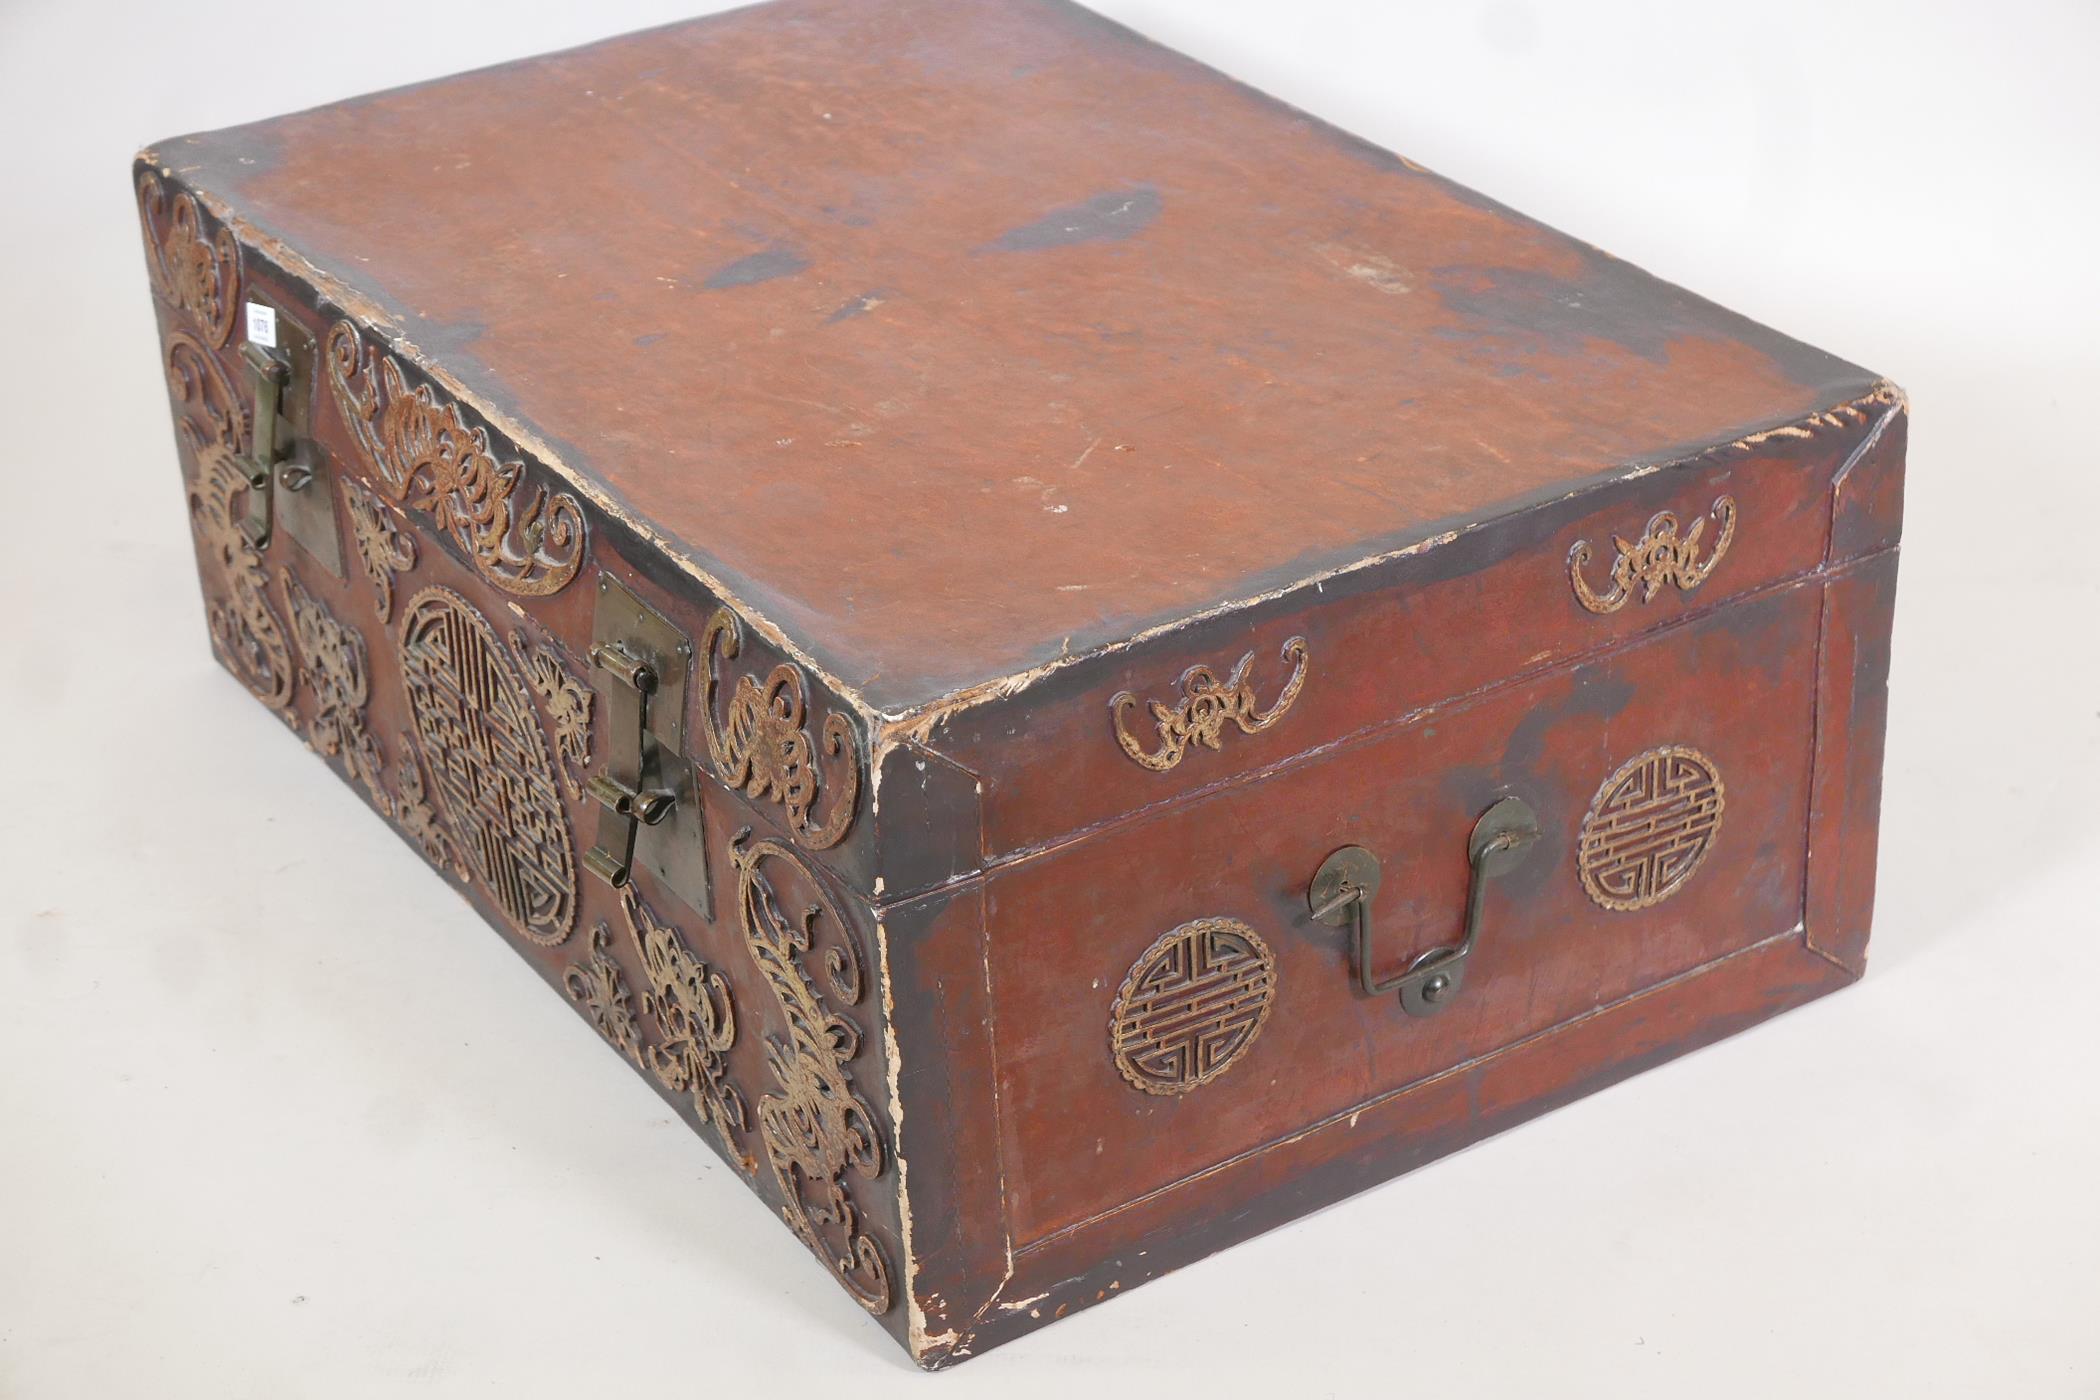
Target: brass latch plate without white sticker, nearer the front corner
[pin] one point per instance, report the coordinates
(652, 815)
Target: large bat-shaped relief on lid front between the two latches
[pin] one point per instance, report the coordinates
(425, 454)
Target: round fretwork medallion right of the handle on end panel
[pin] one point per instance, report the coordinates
(1650, 828)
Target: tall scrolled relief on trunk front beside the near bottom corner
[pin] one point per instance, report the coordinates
(818, 1126)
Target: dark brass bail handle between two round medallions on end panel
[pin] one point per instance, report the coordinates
(1347, 883)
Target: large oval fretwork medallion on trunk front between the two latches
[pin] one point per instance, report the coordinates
(482, 742)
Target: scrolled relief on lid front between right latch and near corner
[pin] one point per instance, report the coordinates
(763, 744)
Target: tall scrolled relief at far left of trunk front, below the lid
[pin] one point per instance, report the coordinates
(213, 431)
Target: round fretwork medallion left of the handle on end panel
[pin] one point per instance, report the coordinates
(1192, 1006)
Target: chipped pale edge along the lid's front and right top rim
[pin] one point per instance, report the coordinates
(915, 725)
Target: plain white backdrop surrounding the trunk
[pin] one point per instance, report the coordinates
(280, 1118)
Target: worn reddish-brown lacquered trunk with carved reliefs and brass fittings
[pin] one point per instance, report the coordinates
(1074, 666)
